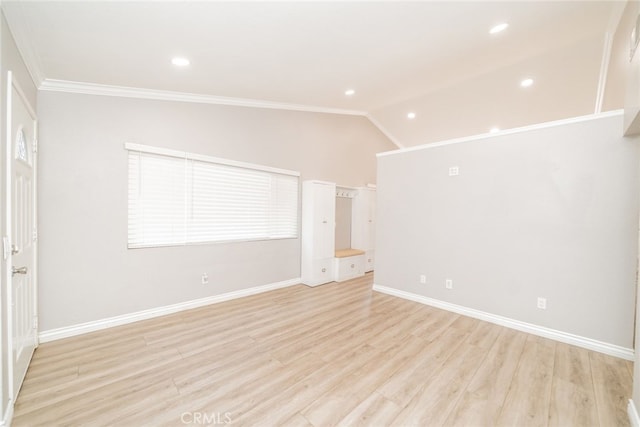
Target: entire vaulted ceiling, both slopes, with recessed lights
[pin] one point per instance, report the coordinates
(436, 59)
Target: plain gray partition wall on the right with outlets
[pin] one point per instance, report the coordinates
(548, 213)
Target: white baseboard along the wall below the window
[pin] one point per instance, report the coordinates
(83, 328)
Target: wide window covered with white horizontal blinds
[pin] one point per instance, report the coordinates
(178, 198)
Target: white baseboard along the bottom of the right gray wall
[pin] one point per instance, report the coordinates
(588, 343)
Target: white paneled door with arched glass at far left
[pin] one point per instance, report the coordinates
(22, 291)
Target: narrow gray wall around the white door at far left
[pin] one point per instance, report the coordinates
(10, 60)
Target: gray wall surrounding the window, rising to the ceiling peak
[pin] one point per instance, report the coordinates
(86, 271)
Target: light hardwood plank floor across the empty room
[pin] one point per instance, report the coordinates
(337, 354)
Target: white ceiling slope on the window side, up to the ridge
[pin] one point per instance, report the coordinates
(301, 52)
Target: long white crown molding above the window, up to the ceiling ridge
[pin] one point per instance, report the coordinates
(53, 85)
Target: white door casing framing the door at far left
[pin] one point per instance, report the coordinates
(13, 84)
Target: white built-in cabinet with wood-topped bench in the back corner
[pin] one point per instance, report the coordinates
(338, 226)
